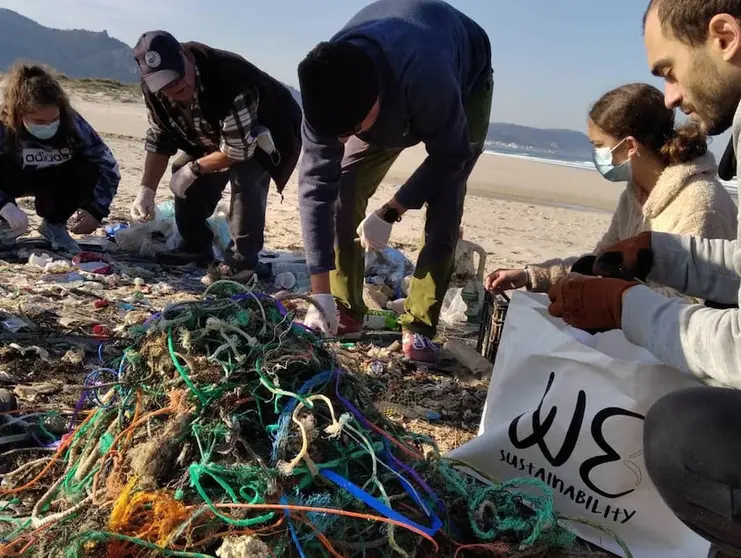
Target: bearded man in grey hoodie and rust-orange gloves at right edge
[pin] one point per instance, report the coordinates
(691, 437)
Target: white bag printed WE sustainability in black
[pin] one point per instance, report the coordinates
(570, 412)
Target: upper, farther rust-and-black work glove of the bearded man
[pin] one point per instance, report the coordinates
(629, 259)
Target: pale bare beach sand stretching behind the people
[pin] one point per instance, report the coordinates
(516, 209)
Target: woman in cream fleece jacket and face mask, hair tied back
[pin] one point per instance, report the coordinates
(671, 182)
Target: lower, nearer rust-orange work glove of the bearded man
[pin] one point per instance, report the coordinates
(588, 302)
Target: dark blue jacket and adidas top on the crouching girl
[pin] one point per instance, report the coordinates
(31, 153)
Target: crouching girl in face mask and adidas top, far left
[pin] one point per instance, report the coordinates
(51, 153)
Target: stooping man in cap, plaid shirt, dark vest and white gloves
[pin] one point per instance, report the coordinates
(233, 123)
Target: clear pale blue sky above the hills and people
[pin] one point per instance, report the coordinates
(552, 58)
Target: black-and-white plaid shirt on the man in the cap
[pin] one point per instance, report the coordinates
(234, 139)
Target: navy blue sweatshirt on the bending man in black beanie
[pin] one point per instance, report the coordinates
(429, 57)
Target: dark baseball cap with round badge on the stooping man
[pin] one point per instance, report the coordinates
(160, 59)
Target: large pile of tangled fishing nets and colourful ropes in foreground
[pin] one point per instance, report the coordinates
(228, 430)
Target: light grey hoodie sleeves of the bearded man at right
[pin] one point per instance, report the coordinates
(704, 341)
